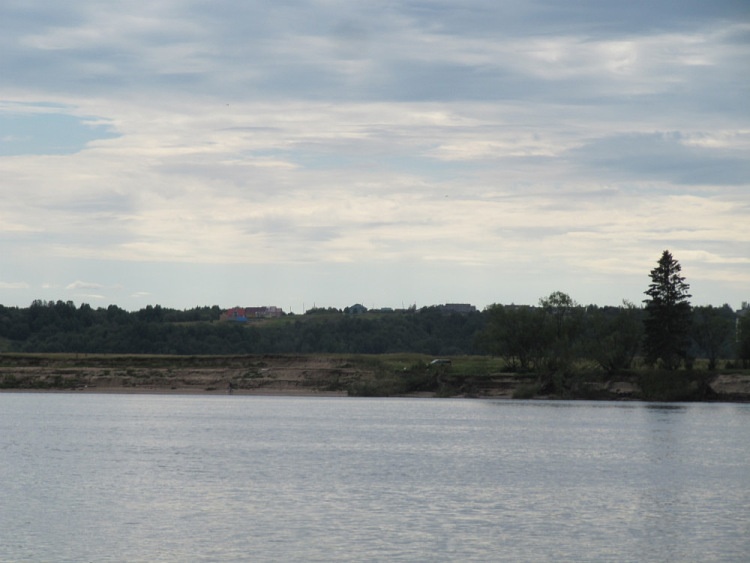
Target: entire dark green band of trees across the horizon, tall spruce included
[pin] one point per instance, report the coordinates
(553, 336)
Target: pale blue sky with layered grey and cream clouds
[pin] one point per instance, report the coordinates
(328, 152)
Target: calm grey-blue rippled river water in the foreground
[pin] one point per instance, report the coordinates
(238, 478)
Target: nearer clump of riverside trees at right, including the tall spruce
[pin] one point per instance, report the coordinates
(667, 332)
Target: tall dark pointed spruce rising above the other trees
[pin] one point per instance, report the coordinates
(668, 314)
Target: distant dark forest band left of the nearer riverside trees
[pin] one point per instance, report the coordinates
(62, 327)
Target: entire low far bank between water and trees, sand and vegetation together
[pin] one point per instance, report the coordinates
(319, 375)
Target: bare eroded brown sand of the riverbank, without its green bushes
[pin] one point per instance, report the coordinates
(314, 375)
